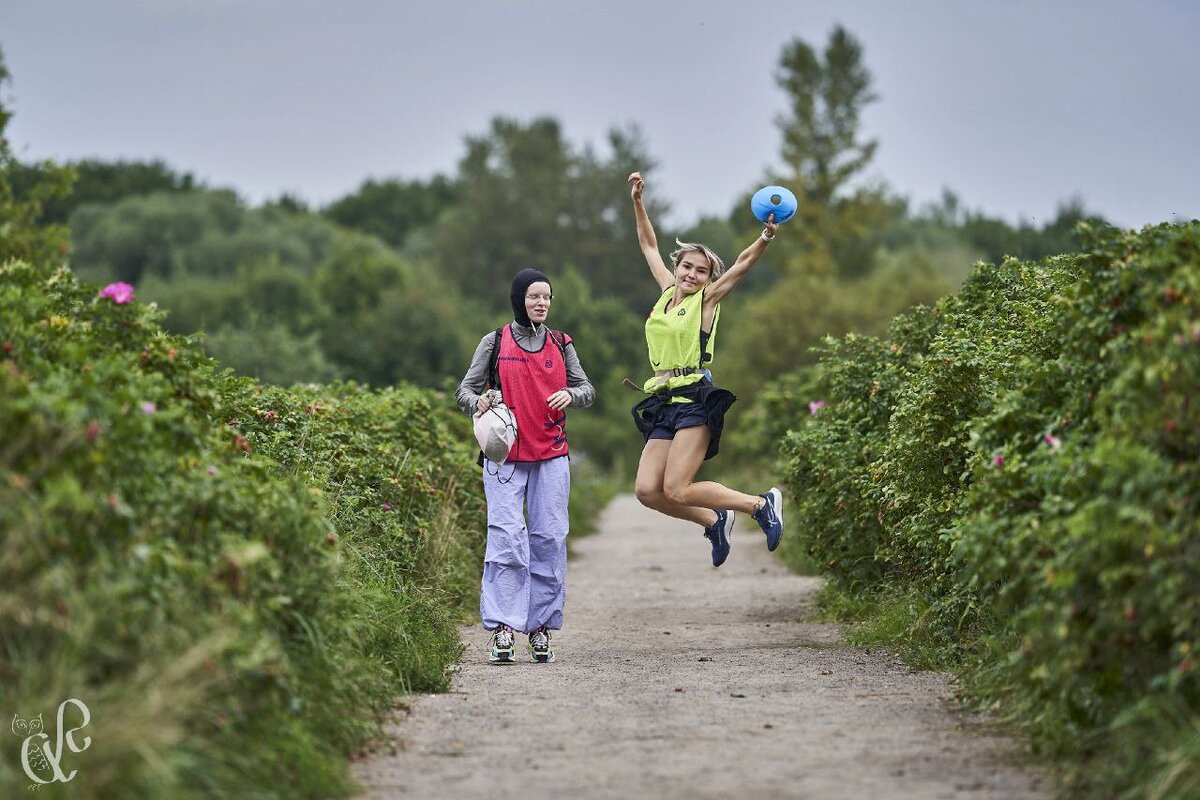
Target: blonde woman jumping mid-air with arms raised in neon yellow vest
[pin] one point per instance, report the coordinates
(683, 417)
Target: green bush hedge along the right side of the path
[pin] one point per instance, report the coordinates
(1018, 467)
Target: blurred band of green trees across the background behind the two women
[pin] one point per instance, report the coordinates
(397, 281)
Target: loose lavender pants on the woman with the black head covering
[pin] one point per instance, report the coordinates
(525, 568)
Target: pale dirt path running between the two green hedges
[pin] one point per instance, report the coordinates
(677, 681)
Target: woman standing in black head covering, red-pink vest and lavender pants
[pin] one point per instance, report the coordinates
(539, 376)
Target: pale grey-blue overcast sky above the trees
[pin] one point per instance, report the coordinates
(1016, 106)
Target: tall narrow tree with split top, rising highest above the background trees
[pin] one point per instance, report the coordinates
(824, 153)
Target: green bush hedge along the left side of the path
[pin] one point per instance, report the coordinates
(237, 580)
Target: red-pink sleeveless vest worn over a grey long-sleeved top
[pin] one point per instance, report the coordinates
(527, 381)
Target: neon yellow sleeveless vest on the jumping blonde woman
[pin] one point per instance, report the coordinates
(673, 339)
